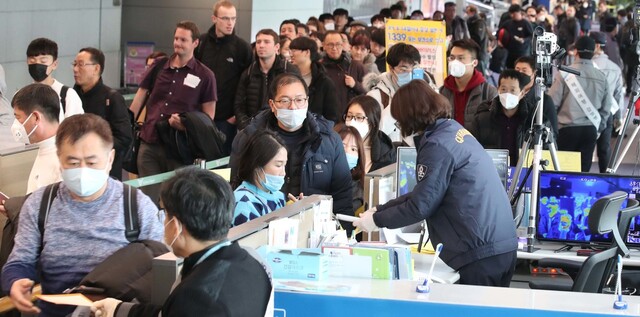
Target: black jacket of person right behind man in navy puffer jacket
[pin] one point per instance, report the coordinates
(322, 94)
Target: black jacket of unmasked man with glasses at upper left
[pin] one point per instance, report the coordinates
(109, 104)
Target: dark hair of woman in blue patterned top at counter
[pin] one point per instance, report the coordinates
(260, 149)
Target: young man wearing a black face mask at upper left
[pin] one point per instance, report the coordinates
(42, 60)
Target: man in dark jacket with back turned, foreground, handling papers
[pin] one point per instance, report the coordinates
(217, 274)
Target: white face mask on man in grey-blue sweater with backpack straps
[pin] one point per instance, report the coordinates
(84, 181)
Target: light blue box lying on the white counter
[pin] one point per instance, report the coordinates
(302, 264)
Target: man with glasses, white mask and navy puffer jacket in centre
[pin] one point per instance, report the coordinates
(316, 162)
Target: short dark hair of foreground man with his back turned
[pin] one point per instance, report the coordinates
(202, 201)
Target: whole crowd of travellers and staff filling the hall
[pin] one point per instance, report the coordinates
(306, 109)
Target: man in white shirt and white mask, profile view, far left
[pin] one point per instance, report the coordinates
(36, 108)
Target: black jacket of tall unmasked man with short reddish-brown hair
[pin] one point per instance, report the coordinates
(227, 57)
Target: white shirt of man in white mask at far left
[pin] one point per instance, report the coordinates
(46, 167)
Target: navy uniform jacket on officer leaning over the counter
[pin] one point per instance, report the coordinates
(460, 195)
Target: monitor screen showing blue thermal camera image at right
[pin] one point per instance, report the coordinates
(565, 199)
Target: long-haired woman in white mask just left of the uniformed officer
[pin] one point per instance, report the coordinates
(363, 113)
